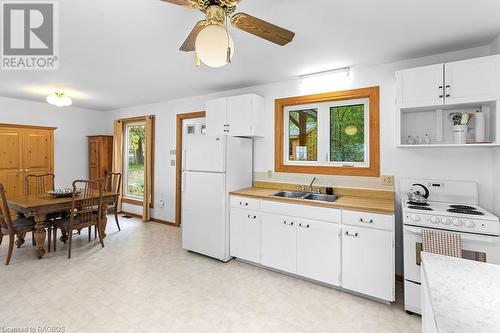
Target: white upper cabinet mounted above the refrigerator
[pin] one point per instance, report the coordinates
(235, 116)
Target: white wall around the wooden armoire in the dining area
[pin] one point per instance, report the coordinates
(70, 141)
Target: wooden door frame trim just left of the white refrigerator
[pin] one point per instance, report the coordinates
(178, 162)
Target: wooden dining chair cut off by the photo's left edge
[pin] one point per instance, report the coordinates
(11, 227)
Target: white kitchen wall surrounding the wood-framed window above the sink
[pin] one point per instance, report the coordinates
(473, 164)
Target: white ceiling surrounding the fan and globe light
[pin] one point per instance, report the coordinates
(117, 53)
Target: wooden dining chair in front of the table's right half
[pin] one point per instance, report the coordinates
(85, 211)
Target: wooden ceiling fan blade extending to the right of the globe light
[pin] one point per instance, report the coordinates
(262, 29)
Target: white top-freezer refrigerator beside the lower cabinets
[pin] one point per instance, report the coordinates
(213, 166)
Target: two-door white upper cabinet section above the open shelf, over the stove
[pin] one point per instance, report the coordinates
(466, 81)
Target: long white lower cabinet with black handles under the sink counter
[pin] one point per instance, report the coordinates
(356, 253)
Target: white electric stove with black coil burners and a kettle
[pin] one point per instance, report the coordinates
(451, 206)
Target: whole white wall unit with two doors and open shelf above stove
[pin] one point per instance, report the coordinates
(455, 104)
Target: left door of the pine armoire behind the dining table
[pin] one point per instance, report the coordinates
(11, 161)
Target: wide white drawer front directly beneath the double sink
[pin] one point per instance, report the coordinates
(302, 211)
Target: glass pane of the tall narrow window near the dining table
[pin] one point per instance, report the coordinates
(134, 160)
